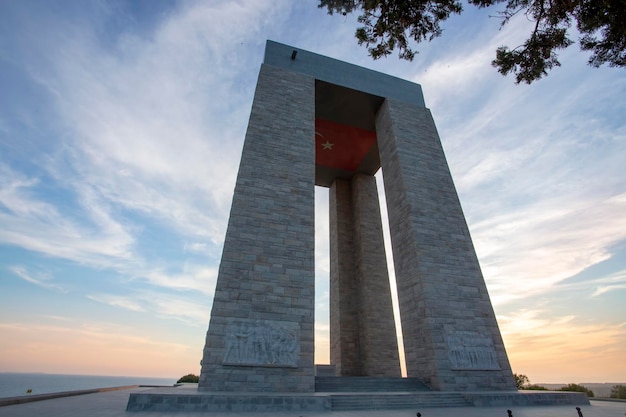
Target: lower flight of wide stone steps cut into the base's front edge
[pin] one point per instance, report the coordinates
(388, 401)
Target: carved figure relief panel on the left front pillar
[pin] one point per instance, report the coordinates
(262, 343)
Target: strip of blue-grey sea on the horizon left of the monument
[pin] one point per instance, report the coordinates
(17, 384)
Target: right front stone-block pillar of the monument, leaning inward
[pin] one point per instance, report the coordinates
(451, 337)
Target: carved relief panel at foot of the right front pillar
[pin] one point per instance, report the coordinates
(471, 351)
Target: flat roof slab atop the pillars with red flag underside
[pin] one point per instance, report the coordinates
(347, 98)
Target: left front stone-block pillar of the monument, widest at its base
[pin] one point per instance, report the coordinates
(260, 335)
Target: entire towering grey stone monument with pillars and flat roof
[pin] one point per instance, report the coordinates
(319, 121)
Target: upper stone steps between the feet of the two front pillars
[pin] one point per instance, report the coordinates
(368, 384)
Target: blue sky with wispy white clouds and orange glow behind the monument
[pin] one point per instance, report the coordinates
(121, 129)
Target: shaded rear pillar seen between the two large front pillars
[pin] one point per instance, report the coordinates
(362, 331)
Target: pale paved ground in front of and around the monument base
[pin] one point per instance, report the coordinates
(113, 404)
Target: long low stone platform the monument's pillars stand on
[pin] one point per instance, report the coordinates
(187, 398)
